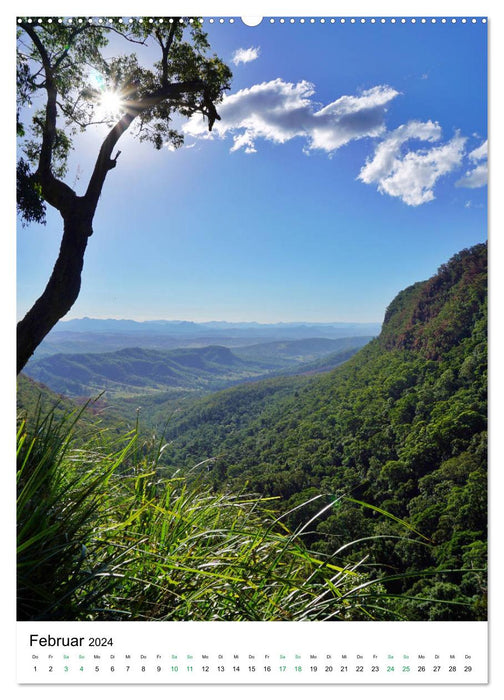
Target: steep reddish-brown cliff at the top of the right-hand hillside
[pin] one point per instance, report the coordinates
(433, 316)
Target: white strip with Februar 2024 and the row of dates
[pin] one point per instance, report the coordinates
(199, 653)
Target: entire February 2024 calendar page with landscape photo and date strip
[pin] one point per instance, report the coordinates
(251, 349)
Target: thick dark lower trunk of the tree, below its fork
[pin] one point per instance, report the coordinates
(62, 289)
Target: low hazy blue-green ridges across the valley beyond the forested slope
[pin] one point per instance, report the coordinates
(142, 371)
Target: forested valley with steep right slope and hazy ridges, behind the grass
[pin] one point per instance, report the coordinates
(388, 442)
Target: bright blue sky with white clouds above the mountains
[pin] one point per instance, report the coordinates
(349, 163)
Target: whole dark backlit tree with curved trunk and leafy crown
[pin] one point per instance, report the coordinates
(61, 67)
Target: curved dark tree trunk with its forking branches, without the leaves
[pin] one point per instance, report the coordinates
(64, 284)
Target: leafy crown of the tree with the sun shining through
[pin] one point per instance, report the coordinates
(66, 59)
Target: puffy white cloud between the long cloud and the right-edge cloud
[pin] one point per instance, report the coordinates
(412, 175)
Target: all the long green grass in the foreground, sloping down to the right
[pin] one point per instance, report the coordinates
(104, 535)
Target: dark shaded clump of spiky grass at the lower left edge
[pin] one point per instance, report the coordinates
(57, 509)
